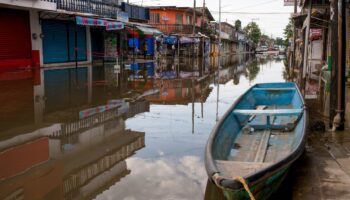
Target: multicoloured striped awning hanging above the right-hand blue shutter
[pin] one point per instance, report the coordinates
(89, 21)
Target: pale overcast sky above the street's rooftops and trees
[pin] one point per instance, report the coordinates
(270, 24)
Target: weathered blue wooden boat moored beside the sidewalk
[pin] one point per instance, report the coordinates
(253, 145)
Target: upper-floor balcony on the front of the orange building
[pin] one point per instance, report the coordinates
(177, 28)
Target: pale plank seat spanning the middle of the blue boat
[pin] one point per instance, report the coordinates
(272, 112)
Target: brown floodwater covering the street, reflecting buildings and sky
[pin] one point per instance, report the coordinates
(104, 132)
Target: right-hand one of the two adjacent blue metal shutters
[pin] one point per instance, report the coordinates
(81, 42)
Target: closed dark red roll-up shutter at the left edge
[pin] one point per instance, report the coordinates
(15, 40)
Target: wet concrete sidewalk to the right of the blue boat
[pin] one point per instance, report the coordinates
(323, 172)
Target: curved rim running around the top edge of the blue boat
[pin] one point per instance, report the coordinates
(259, 175)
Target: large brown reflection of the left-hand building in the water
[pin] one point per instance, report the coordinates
(64, 135)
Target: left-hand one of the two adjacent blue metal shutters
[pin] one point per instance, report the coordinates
(55, 43)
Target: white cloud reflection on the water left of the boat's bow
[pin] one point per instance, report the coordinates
(168, 179)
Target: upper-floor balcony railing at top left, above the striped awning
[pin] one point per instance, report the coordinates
(97, 7)
